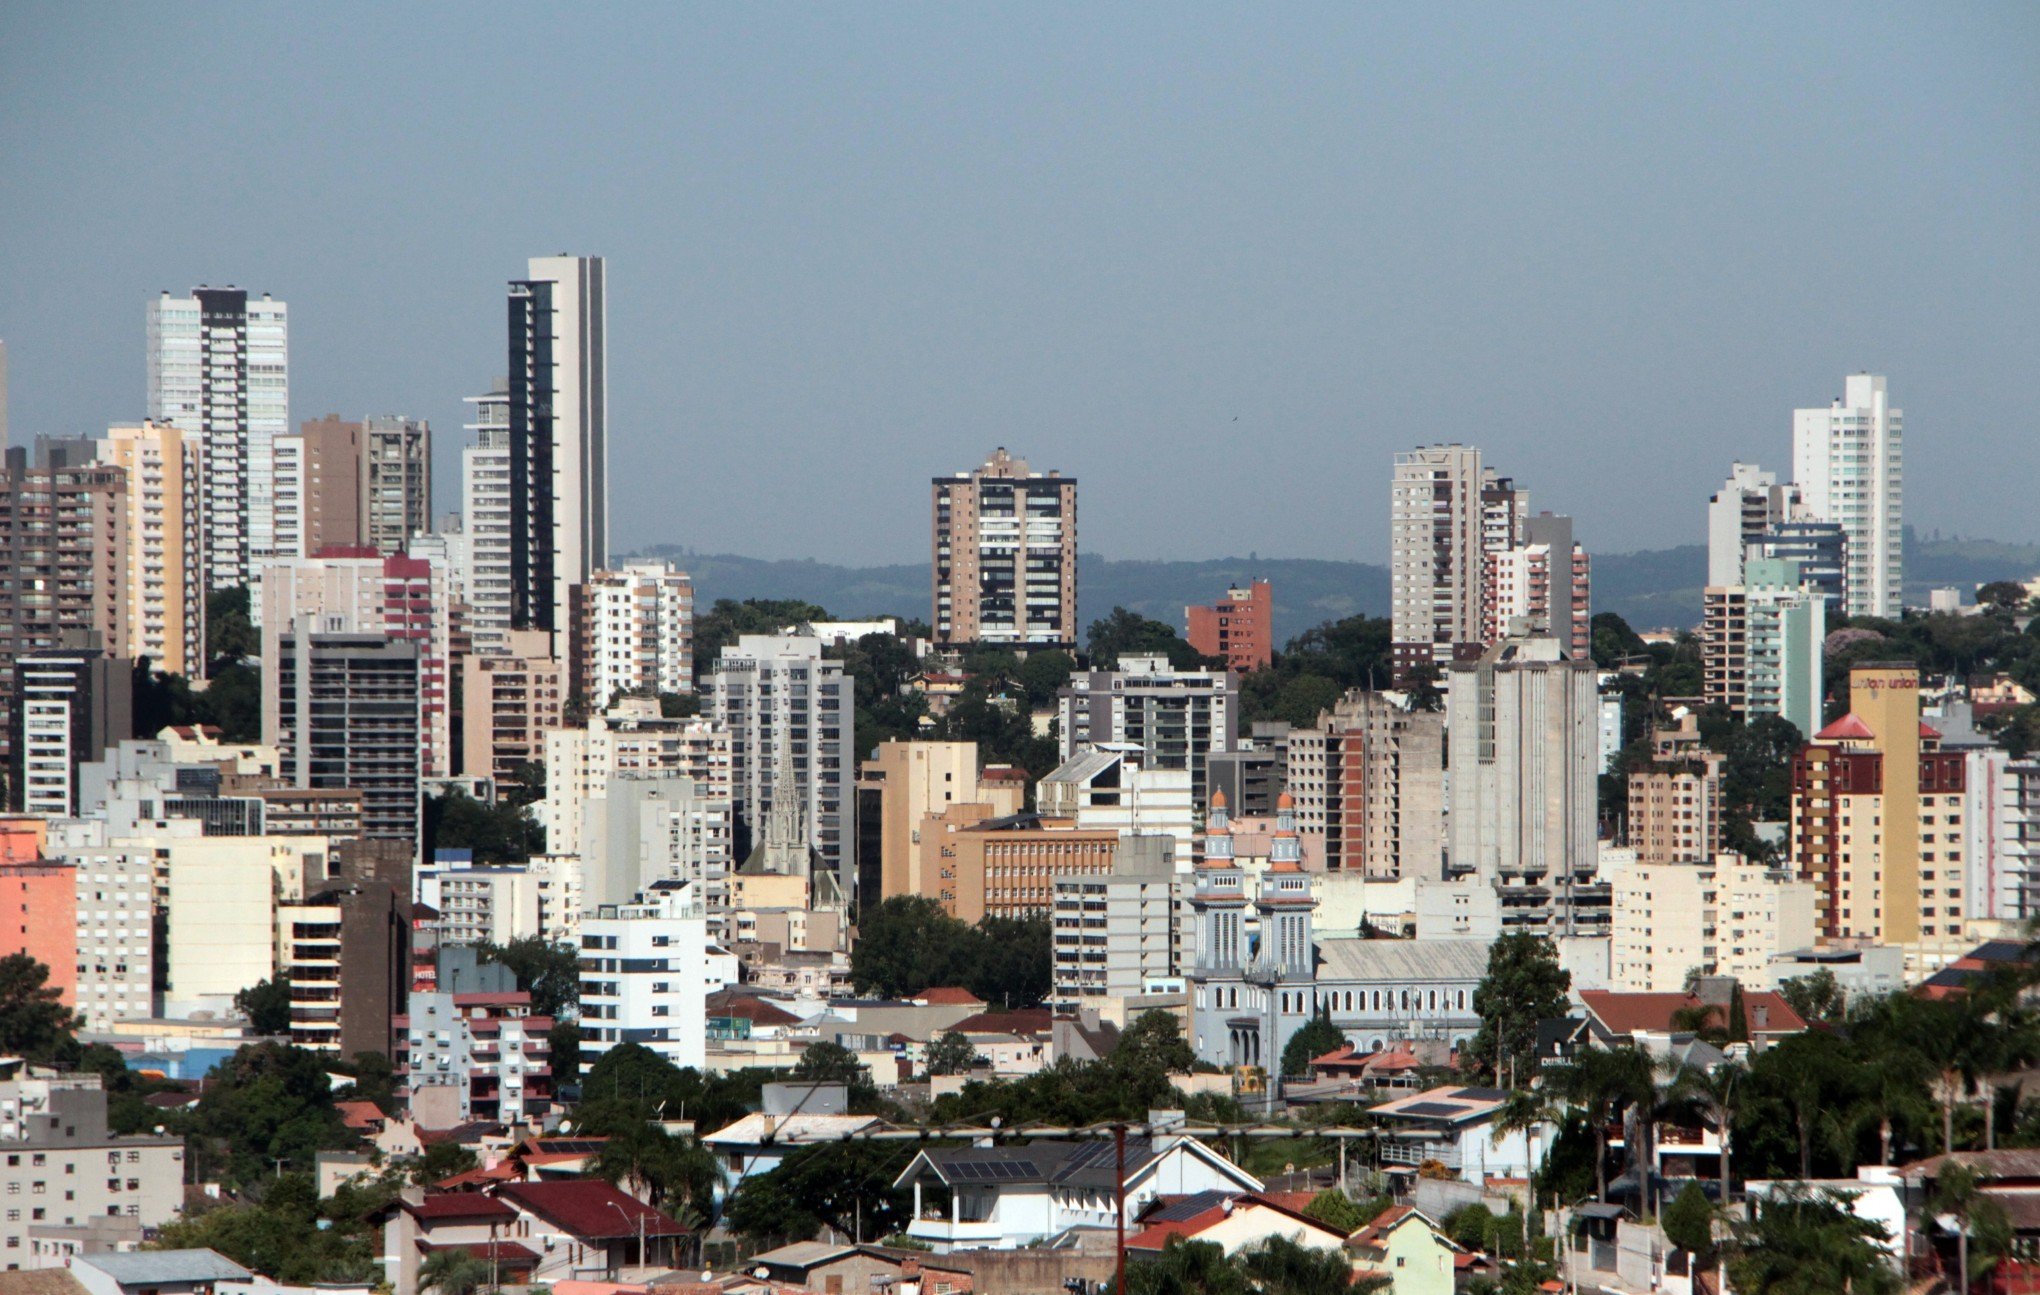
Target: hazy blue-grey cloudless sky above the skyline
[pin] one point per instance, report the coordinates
(1217, 262)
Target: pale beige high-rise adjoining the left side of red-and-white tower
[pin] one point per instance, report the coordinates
(1439, 527)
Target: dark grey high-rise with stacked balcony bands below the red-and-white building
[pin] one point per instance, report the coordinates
(348, 715)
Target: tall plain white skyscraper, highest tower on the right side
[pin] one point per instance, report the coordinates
(1849, 464)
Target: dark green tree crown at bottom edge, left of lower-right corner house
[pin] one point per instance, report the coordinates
(1810, 1245)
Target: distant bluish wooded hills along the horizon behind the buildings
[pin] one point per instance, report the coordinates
(1655, 588)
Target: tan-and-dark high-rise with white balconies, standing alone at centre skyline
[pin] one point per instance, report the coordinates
(1007, 556)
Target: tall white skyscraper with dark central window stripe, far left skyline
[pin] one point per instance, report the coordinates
(219, 370)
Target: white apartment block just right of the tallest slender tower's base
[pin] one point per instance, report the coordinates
(633, 633)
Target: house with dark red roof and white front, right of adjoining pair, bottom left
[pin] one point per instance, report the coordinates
(584, 1227)
